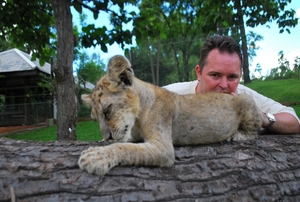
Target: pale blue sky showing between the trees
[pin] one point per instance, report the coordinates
(267, 56)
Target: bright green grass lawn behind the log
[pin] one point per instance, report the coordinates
(279, 90)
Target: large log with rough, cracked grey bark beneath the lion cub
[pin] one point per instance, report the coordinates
(265, 169)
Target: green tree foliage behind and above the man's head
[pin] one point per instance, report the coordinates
(181, 34)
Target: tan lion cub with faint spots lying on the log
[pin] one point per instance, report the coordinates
(129, 110)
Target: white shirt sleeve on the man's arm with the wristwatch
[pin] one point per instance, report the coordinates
(266, 104)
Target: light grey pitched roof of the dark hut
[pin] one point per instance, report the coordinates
(15, 60)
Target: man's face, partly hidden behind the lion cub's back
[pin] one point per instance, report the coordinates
(221, 73)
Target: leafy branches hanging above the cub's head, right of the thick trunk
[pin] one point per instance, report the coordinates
(101, 35)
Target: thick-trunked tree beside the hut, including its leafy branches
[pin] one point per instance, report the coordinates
(35, 30)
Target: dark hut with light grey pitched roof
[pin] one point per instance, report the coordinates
(25, 101)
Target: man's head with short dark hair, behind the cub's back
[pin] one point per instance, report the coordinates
(220, 65)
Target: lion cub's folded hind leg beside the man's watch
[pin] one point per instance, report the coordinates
(249, 117)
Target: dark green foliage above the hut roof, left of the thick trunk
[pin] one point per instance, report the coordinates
(33, 30)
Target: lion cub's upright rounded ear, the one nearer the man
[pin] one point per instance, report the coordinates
(119, 70)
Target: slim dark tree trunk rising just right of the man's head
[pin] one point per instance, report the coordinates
(245, 64)
